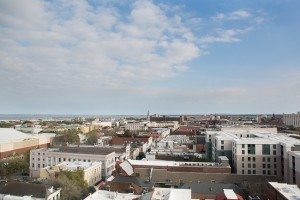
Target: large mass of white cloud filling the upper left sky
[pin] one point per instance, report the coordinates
(73, 43)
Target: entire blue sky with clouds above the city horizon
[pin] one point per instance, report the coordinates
(168, 57)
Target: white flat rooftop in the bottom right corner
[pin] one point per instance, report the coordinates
(291, 192)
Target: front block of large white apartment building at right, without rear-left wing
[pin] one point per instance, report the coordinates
(267, 154)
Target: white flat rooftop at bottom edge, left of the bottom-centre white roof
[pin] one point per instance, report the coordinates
(109, 195)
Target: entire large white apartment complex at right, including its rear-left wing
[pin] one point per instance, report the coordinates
(257, 152)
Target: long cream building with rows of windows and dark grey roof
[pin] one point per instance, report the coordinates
(40, 158)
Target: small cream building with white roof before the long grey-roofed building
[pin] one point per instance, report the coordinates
(91, 170)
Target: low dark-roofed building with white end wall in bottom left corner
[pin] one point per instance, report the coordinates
(28, 191)
